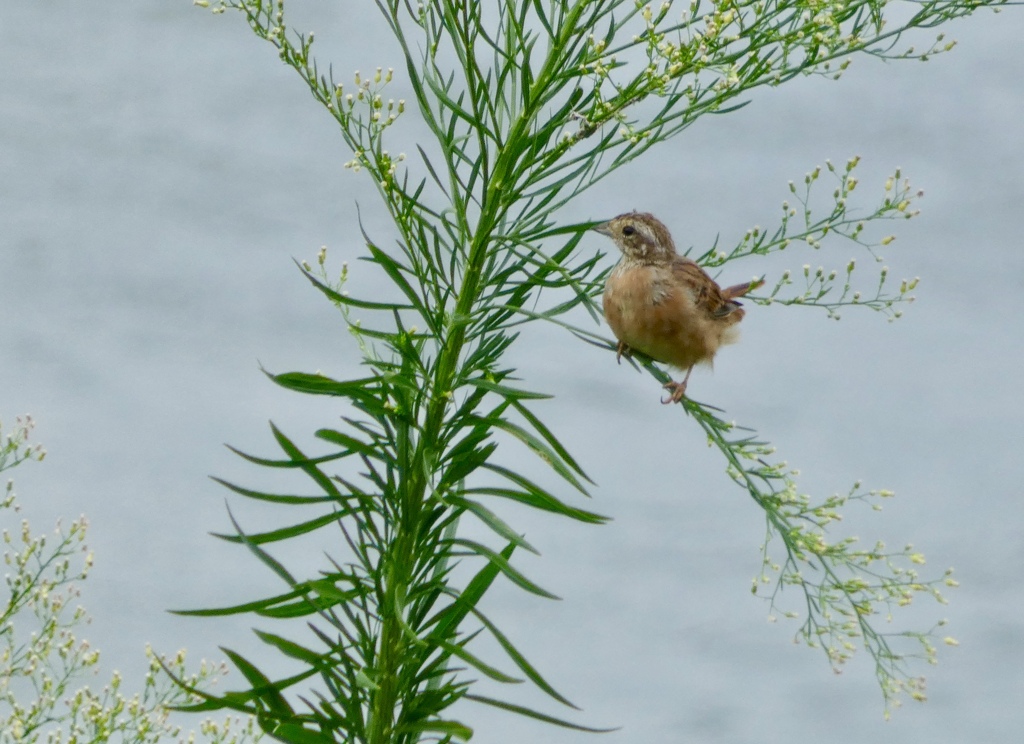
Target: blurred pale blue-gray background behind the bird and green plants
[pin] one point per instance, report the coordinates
(159, 170)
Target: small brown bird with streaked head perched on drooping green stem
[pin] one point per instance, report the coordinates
(664, 304)
